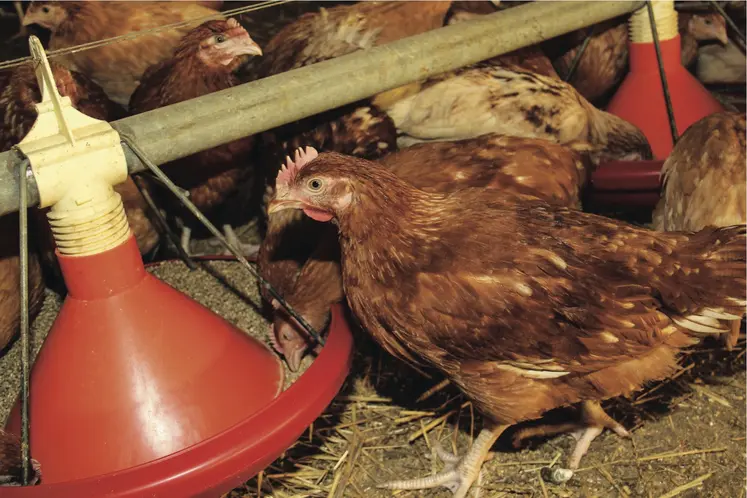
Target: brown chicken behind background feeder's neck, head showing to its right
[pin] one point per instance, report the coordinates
(604, 63)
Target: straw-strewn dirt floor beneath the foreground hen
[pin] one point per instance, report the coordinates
(688, 439)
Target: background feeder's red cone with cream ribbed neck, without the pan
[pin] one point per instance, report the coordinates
(640, 98)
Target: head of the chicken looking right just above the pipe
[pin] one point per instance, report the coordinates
(225, 43)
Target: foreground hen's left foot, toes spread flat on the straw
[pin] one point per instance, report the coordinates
(459, 473)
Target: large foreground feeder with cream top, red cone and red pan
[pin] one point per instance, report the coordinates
(138, 388)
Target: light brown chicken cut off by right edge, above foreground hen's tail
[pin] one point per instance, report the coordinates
(704, 181)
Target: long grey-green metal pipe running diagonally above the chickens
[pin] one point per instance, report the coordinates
(178, 130)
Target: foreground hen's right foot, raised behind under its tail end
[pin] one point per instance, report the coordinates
(593, 422)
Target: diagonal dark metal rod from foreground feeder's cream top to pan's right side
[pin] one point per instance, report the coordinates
(201, 217)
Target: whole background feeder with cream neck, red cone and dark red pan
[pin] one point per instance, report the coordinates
(660, 97)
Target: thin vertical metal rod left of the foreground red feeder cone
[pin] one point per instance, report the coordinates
(23, 235)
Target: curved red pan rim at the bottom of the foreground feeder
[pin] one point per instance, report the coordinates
(222, 462)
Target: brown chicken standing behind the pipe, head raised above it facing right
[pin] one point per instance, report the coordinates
(205, 61)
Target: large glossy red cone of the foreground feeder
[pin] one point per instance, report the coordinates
(133, 370)
